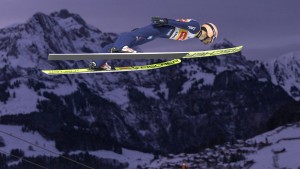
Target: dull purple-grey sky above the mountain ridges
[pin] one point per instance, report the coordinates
(266, 29)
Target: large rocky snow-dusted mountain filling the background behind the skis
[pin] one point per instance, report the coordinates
(184, 108)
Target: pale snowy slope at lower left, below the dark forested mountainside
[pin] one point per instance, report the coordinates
(14, 138)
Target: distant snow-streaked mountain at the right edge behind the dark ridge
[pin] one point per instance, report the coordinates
(285, 72)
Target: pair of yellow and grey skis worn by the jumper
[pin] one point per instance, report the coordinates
(175, 56)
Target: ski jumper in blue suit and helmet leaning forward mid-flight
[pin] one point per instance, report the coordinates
(180, 29)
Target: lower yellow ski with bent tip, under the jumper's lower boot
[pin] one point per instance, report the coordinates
(117, 69)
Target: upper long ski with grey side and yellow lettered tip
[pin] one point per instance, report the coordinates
(152, 55)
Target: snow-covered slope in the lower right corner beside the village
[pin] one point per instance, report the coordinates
(282, 150)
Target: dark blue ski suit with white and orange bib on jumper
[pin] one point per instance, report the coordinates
(180, 29)
